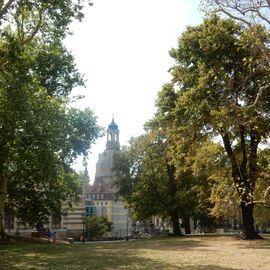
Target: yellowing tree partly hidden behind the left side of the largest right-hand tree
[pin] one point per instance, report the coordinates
(192, 167)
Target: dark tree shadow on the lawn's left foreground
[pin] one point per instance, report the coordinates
(86, 257)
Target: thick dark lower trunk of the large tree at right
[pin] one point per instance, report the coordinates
(248, 228)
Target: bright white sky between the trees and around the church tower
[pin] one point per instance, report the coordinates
(122, 48)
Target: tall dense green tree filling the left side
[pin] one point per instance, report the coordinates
(40, 135)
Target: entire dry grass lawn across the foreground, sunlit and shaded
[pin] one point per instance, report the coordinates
(189, 253)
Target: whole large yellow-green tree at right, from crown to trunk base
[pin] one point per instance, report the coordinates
(219, 82)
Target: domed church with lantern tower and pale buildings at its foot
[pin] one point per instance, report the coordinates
(100, 198)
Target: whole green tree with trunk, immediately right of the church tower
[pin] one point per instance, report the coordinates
(146, 181)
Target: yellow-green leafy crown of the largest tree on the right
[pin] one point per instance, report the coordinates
(220, 101)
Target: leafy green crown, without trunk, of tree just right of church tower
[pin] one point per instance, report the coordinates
(140, 173)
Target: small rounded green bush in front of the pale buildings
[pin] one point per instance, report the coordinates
(98, 226)
